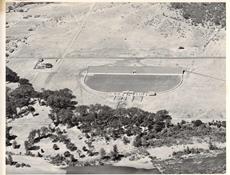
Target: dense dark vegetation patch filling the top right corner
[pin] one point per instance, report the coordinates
(200, 13)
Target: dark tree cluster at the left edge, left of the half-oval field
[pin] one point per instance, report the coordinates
(61, 101)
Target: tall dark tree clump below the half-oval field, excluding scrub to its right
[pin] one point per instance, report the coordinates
(106, 121)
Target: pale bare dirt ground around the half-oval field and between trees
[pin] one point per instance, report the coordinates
(86, 34)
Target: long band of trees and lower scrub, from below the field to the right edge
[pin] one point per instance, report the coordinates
(146, 126)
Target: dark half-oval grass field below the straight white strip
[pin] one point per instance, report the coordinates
(136, 83)
